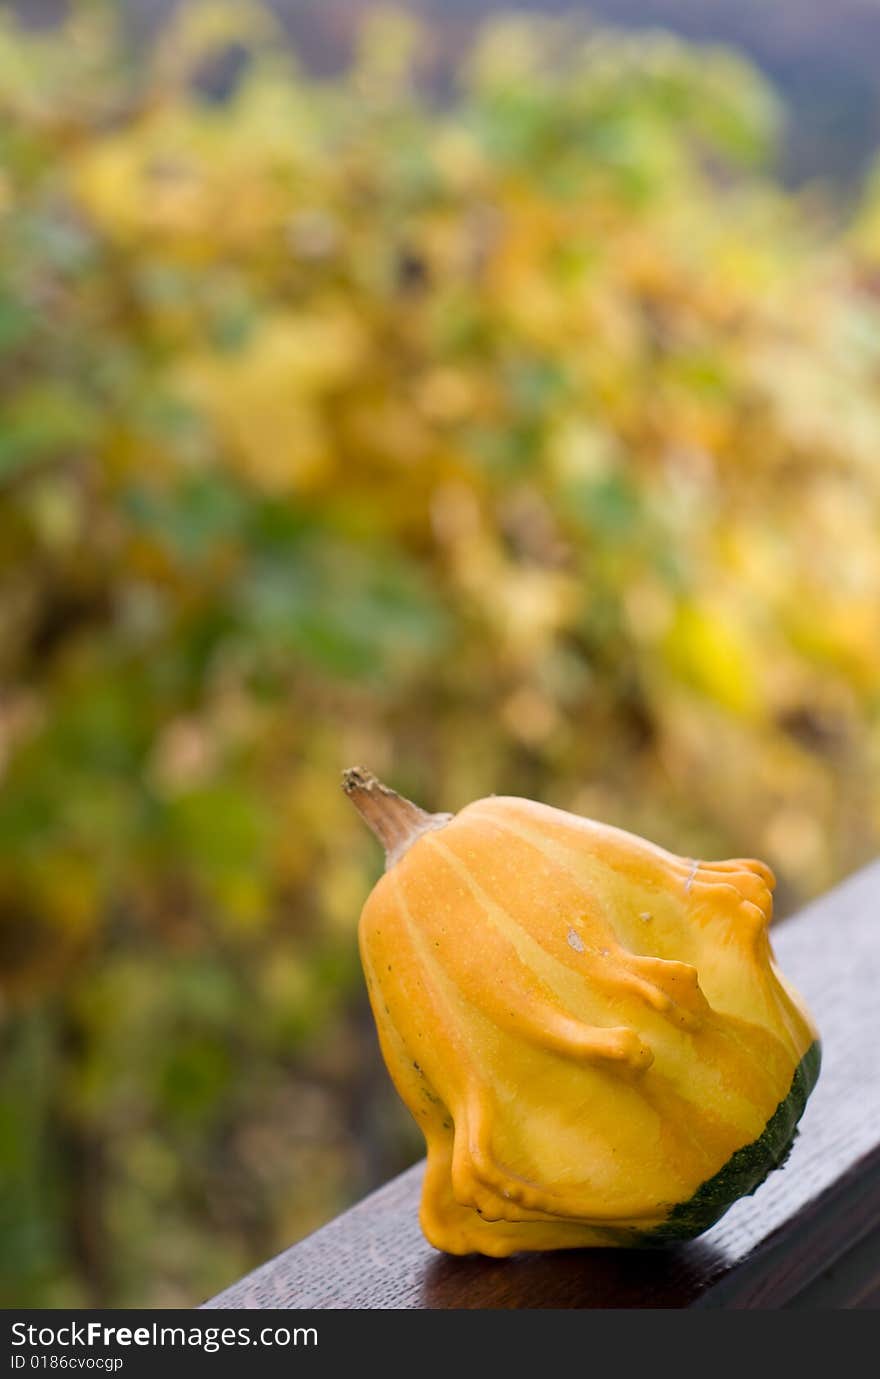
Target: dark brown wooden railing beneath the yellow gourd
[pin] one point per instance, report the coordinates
(765, 1254)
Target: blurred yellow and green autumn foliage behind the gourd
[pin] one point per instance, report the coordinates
(518, 442)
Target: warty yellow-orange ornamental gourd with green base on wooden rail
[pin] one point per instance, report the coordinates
(591, 1032)
